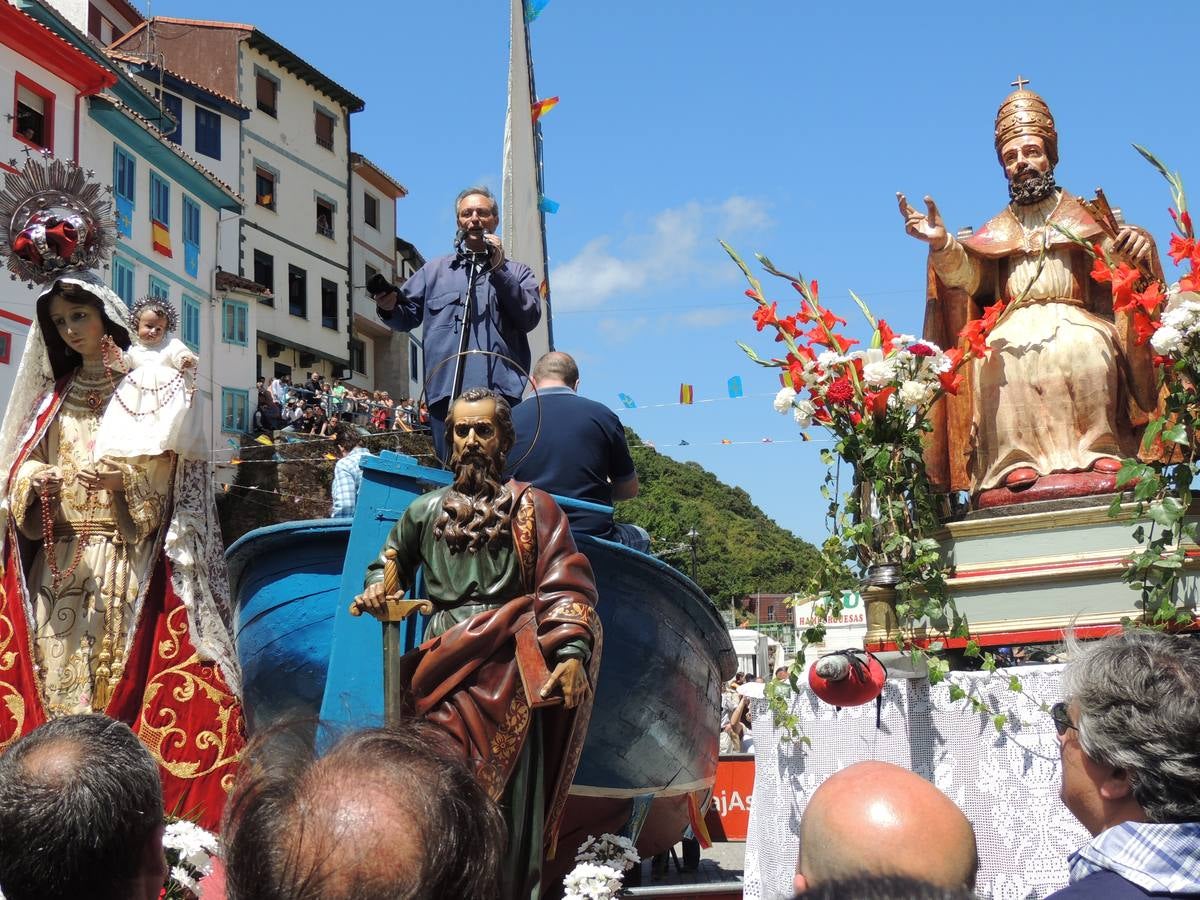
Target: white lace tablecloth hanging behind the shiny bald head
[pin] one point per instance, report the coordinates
(1007, 783)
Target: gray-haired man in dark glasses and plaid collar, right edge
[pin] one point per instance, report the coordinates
(1130, 739)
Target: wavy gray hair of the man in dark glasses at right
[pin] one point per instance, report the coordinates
(1138, 698)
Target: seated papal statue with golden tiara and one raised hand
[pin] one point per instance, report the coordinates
(1067, 389)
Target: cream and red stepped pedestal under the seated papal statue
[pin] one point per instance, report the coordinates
(1023, 574)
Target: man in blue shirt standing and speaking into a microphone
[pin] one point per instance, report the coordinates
(476, 285)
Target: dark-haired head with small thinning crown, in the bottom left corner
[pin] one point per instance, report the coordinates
(81, 814)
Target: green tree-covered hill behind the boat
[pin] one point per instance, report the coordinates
(740, 550)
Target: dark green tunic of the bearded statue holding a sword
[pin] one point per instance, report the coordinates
(461, 586)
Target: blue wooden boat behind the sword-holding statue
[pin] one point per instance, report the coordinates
(653, 737)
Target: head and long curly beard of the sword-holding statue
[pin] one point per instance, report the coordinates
(478, 508)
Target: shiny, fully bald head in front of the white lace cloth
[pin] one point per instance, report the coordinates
(879, 819)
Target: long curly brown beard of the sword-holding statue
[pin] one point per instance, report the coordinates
(478, 508)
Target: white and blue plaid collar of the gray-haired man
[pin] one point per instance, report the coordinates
(1163, 859)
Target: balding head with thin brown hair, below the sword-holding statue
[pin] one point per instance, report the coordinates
(385, 814)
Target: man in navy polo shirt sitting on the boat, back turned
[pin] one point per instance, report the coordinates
(580, 453)
